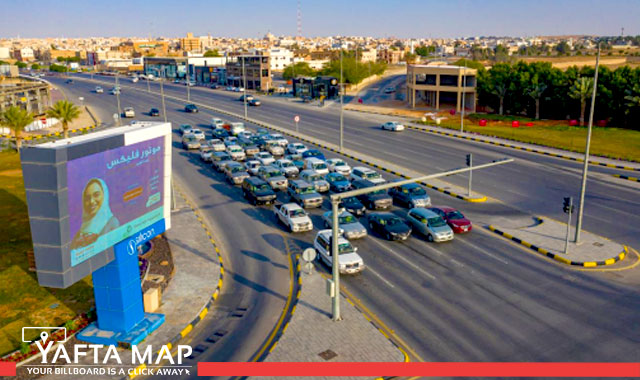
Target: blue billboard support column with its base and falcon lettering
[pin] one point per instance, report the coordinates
(117, 290)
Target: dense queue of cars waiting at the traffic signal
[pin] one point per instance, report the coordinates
(303, 174)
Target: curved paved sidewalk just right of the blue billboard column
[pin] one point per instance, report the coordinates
(194, 259)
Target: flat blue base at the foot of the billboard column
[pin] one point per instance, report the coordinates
(93, 334)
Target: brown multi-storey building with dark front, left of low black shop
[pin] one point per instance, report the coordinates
(257, 72)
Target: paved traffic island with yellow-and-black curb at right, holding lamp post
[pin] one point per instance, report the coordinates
(547, 237)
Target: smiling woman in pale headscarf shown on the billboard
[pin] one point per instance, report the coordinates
(97, 218)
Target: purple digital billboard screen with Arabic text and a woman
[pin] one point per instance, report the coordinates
(113, 194)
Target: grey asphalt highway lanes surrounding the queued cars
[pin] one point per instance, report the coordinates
(478, 298)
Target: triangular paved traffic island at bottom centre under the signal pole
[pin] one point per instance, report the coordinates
(311, 333)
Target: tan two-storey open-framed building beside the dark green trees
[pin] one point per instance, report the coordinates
(441, 86)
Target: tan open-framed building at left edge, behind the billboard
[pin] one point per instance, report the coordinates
(32, 95)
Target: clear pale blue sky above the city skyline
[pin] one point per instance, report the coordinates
(253, 18)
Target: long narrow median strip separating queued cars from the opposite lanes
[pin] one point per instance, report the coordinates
(290, 134)
